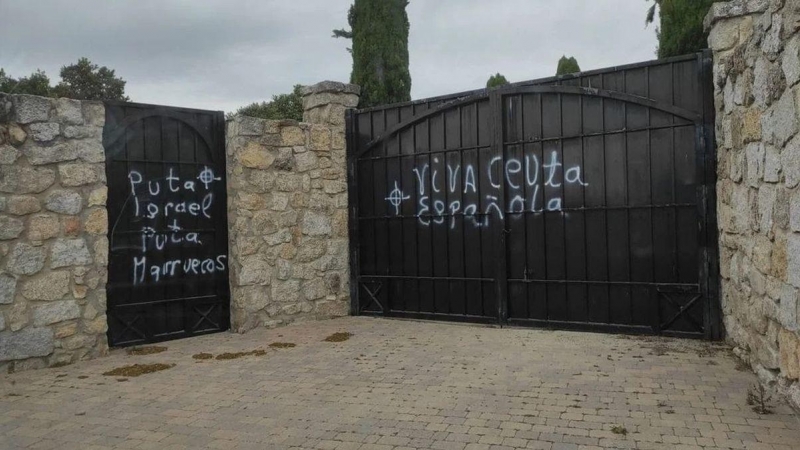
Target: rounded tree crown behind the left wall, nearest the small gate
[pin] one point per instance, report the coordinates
(86, 81)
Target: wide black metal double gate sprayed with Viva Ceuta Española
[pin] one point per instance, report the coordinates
(576, 202)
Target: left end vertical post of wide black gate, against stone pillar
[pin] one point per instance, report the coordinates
(351, 127)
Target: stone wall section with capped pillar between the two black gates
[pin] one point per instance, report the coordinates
(287, 209)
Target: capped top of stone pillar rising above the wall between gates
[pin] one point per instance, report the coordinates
(326, 102)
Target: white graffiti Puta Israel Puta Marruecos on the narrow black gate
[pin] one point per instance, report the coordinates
(154, 201)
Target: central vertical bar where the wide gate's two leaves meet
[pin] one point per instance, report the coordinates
(501, 288)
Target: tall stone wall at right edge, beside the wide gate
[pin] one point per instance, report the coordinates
(756, 47)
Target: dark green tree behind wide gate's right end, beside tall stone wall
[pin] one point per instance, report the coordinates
(680, 29)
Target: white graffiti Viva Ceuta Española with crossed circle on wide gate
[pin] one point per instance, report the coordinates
(520, 175)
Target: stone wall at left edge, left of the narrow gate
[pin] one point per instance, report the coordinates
(53, 224)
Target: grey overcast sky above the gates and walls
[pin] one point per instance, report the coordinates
(222, 54)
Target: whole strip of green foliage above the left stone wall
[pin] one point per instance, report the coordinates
(81, 81)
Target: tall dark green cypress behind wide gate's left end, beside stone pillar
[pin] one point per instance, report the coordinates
(379, 34)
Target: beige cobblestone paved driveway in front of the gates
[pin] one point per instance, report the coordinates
(397, 385)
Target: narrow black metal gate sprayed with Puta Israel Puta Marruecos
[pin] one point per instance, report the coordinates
(168, 236)
